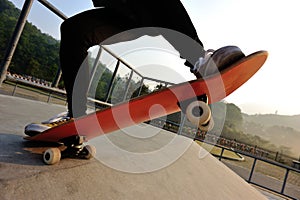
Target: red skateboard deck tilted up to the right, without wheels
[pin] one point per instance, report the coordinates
(159, 103)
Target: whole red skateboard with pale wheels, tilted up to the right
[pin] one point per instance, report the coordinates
(192, 98)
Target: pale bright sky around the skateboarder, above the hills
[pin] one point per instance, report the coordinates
(252, 25)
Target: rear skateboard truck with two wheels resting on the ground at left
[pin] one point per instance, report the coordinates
(72, 147)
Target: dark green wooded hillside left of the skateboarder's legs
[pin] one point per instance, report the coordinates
(36, 53)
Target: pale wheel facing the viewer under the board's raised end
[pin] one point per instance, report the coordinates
(198, 113)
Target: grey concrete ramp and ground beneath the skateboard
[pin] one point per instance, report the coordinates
(128, 166)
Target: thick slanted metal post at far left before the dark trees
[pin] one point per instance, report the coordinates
(14, 39)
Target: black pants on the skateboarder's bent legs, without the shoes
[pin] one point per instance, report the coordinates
(92, 27)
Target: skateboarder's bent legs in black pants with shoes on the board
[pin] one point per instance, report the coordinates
(92, 27)
